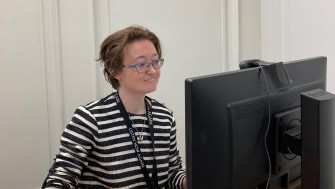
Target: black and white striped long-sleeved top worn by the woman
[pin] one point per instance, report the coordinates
(96, 150)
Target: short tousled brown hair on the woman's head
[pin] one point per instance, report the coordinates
(112, 50)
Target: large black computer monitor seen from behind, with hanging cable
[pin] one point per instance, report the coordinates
(231, 115)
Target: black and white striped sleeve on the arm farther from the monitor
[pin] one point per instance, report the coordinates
(77, 141)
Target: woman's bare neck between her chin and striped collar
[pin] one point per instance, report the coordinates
(132, 102)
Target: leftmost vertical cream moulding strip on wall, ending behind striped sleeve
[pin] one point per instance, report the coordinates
(53, 70)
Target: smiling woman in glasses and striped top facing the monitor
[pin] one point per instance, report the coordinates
(125, 140)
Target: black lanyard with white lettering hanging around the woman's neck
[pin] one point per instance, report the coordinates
(154, 183)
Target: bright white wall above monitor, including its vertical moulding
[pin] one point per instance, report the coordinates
(299, 29)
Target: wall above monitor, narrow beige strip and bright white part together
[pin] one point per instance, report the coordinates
(284, 30)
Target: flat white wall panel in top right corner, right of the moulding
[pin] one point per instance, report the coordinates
(312, 33)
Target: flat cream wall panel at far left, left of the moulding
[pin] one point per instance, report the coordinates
(24, 140)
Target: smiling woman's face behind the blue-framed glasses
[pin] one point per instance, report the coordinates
(139, 52)
